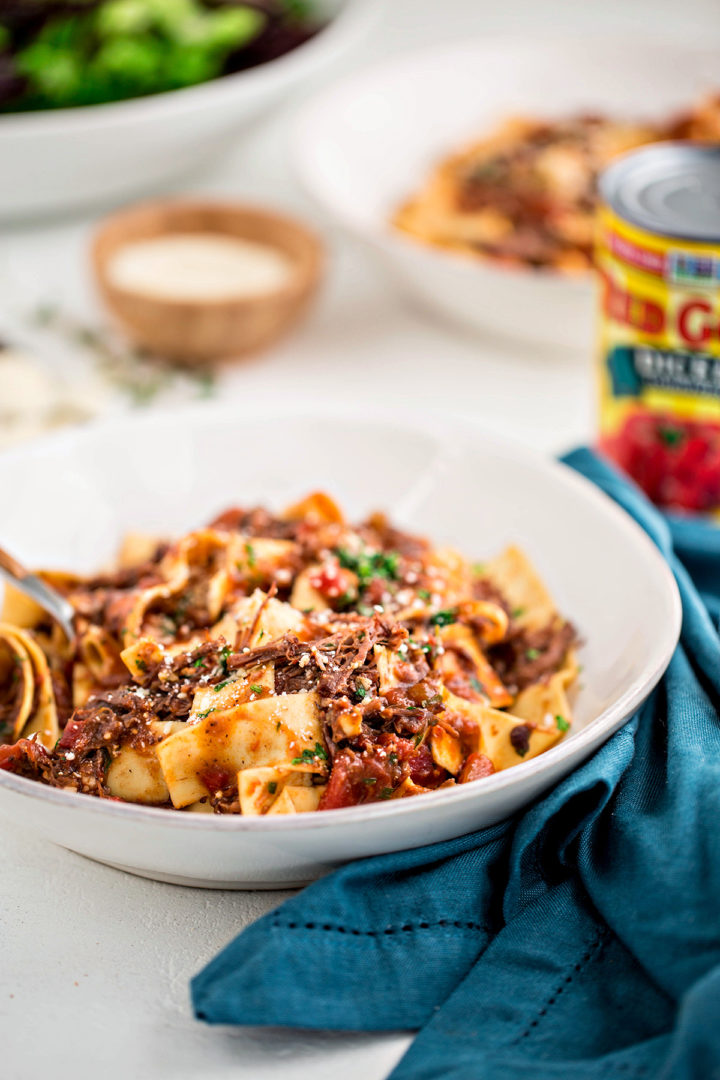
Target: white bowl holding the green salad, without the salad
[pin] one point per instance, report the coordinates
(65, 159)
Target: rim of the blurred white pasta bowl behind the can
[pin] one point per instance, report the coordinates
(383, 235)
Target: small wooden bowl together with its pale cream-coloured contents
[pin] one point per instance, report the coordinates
(206, 281)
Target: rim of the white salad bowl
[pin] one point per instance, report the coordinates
(354, 20)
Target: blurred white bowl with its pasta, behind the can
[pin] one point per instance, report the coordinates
(471, 169)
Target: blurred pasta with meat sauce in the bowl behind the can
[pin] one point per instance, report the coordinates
(526, 195)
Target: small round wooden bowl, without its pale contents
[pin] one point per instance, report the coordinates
(201, 331)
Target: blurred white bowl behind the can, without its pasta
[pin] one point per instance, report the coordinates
(363, 146)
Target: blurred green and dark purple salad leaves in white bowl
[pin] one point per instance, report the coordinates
(112, 50)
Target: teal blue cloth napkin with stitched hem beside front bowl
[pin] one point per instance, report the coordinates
(578, 940)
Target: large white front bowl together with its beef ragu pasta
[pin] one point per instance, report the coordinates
(265, 684)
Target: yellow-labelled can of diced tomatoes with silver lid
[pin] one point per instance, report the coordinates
(659, 340)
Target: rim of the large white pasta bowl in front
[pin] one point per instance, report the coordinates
(412, 421)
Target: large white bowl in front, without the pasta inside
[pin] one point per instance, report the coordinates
(69, 501)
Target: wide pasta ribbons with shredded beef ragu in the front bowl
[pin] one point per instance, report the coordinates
(281, 664)
